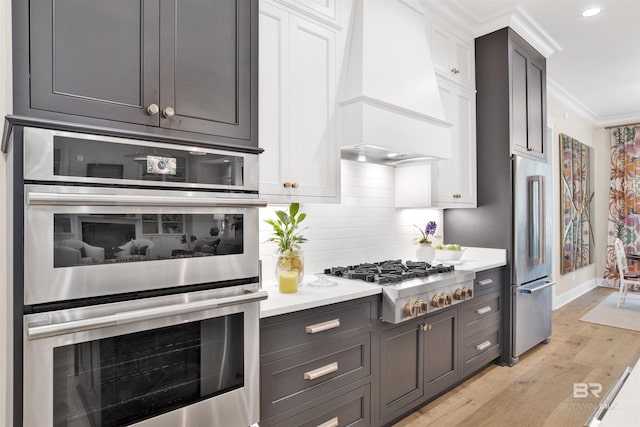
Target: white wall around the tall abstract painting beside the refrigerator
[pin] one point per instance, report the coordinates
(566, 120)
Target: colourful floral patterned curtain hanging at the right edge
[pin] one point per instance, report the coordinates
(624, 197)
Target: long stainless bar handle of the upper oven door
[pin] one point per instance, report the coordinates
(73, 199)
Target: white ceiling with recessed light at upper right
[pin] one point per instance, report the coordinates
(596, 64)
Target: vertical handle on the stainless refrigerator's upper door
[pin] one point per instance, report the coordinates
(536, 220)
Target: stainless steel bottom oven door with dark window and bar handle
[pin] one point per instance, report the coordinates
(180, 360)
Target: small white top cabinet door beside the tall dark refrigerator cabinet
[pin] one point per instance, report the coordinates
(453, 56)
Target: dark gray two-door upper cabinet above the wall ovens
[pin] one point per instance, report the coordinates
(179, 68)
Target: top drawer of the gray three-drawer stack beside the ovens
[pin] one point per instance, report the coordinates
(297, 331)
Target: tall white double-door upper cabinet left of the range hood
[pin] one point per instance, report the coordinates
(297, 72)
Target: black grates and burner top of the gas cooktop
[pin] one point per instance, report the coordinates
(388, 272)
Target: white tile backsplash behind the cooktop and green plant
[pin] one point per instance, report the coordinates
(364, 227)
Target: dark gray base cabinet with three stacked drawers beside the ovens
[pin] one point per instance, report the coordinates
(316, 366)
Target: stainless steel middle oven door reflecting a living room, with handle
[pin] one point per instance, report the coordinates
(86, 242)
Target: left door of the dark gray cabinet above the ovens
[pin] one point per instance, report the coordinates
(95, 58)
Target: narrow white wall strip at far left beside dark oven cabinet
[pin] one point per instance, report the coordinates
(5, 108)
